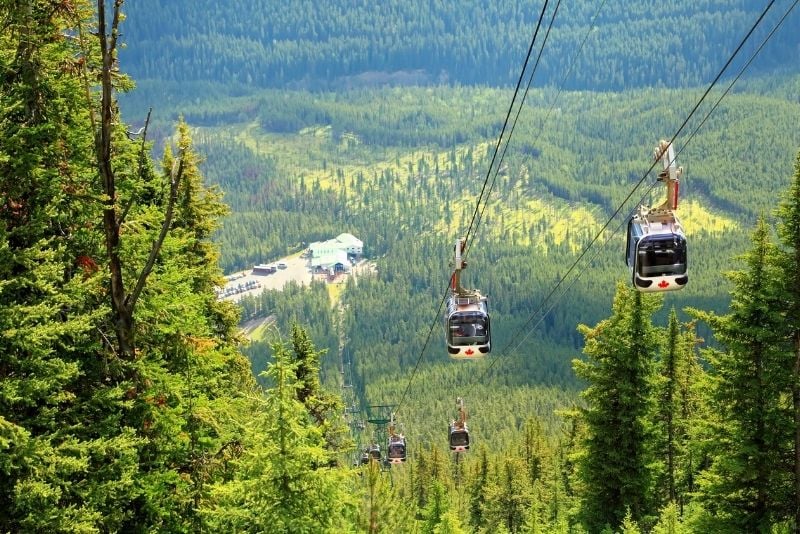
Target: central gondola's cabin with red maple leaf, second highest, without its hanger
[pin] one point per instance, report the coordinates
(468, 329)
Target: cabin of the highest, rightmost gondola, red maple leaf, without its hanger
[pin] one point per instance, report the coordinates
(656, 252)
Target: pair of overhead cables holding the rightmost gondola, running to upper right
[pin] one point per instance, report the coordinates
(541, 309)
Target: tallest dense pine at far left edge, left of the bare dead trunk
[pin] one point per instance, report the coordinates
(66, 465)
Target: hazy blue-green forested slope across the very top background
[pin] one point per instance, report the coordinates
(341, 43)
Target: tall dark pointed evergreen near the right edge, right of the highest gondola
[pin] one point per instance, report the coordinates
(747, 488)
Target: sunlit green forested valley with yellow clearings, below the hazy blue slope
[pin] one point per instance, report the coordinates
(567, 170)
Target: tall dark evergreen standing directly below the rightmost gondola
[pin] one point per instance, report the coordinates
(616, 463)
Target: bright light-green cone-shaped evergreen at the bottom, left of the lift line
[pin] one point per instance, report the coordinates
(276, 487)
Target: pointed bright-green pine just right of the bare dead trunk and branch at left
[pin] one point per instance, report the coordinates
(191, 386)
